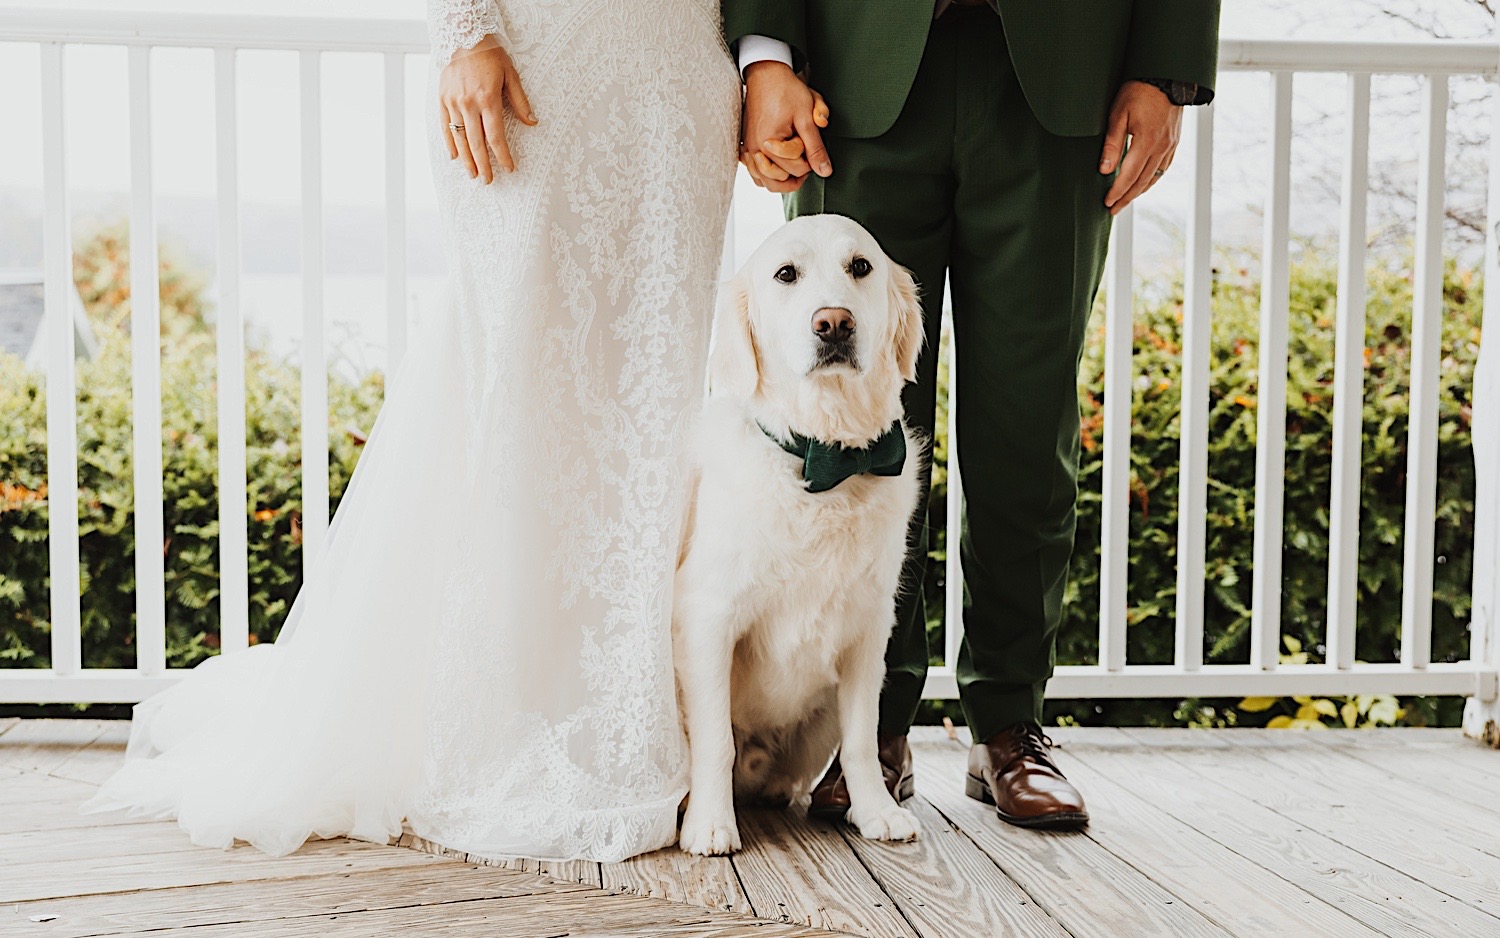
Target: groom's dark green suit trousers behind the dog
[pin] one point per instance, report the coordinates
(968, 187)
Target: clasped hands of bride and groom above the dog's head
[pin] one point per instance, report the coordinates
(781, 131)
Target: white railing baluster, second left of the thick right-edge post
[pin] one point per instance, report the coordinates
(1349, 383)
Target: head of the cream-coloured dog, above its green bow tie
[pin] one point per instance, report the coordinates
(817, 302)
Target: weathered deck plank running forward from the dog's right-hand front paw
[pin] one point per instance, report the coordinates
(947, 886)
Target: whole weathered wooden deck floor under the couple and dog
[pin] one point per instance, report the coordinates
(1195, 834)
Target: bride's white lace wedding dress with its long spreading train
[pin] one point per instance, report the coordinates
(482, 649)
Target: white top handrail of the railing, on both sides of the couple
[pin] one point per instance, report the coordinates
(374, 35)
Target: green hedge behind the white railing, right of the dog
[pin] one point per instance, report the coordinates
(1232, 480)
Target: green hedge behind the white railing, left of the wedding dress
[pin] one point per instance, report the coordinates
(190, 454)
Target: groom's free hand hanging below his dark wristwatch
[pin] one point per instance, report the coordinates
(1154, 125)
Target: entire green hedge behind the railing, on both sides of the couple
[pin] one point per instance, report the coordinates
(191, 481)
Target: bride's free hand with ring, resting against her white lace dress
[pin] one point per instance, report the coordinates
(475, 89)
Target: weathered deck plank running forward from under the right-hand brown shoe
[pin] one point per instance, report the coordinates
(1078, 882)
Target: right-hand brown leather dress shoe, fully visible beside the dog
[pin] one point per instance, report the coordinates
(1015, 772)
